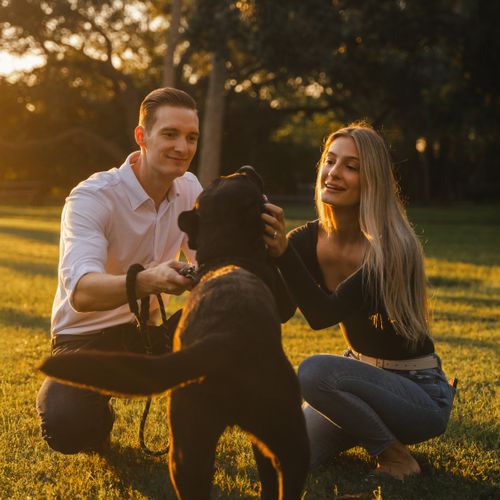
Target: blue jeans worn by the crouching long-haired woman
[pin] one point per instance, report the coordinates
(350, 403)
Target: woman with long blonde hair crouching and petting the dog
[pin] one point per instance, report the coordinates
(361, 265)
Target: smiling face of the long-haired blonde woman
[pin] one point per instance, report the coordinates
(340, 184)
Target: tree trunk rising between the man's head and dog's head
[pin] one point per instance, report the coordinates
(209, 163)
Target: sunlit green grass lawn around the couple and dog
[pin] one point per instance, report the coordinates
(463, 263)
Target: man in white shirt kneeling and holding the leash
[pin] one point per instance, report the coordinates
(109, 222)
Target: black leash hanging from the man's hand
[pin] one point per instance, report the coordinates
(142, 317)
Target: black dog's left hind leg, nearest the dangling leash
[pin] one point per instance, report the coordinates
(195, 429)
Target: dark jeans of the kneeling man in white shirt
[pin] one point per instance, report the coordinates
(73, 419)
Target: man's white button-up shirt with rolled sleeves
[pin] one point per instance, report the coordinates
(108, 223)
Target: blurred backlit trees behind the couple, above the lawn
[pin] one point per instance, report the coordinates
(271, 78)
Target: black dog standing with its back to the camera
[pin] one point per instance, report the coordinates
(228, 342)
